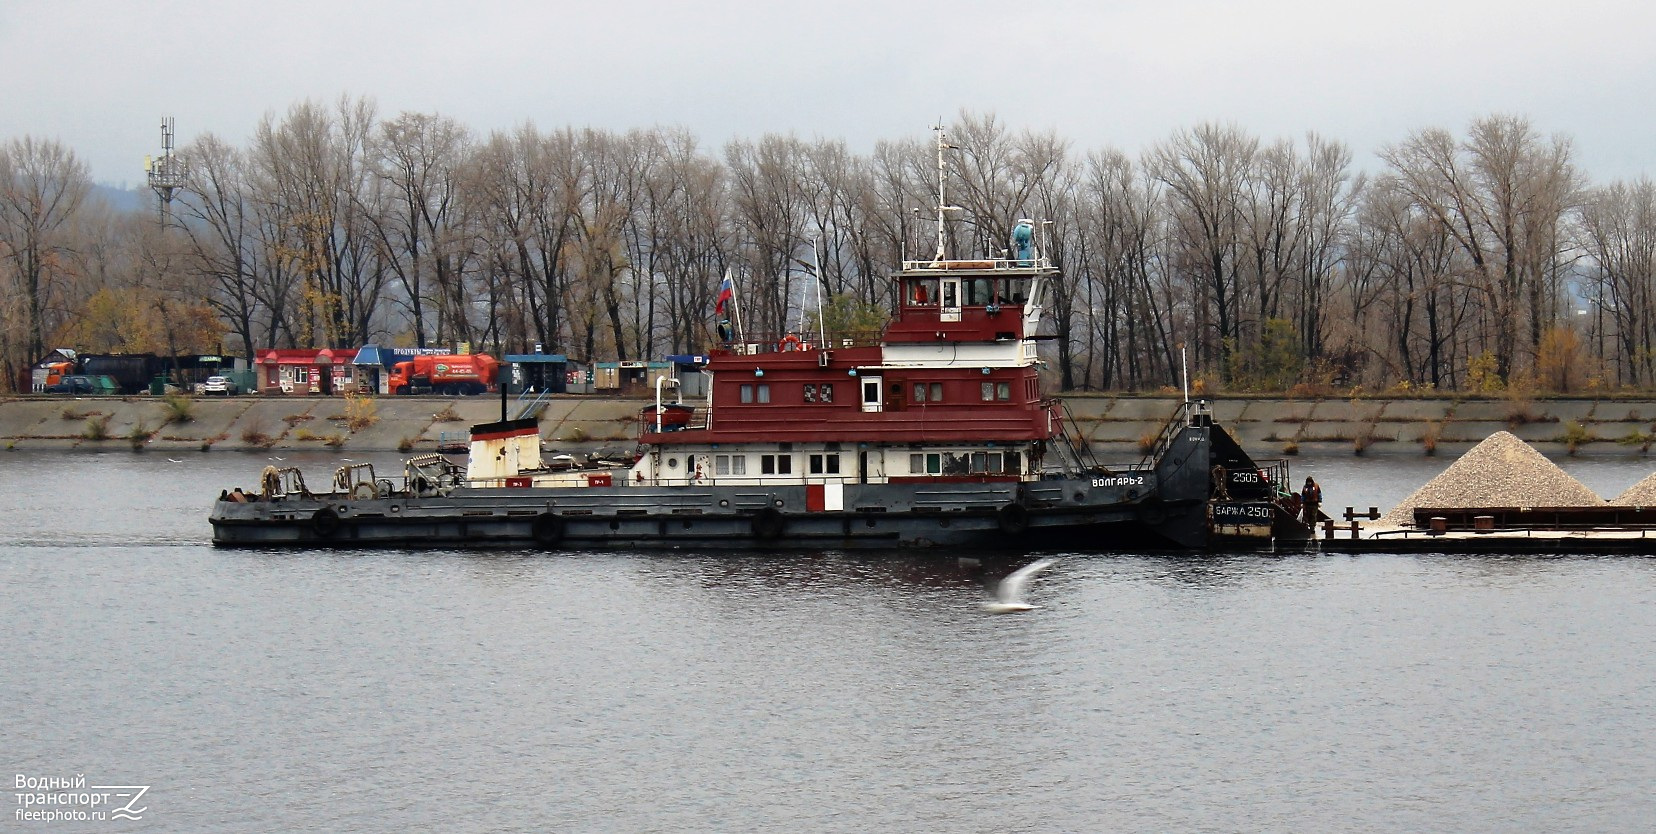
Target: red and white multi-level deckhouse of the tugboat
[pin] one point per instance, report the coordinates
(950, 391)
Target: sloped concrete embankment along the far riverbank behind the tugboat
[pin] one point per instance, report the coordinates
(1115, 426)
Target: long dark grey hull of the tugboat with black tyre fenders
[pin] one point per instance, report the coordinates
(978, 517)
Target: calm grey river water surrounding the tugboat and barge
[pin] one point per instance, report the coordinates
(450, 691)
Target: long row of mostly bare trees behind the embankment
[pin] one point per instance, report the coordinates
(1471, 261)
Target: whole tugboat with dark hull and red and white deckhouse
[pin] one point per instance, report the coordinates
(933, 436)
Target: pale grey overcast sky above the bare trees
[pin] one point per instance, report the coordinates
(99, 75)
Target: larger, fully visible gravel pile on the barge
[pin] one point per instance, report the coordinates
(1500, 472)
